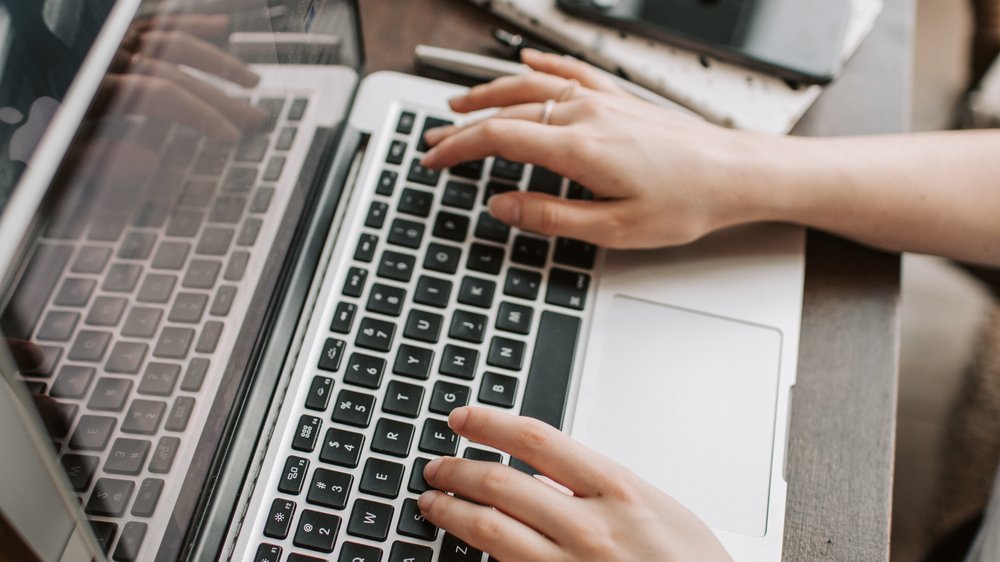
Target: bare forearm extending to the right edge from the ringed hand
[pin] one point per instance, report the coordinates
(934, 193)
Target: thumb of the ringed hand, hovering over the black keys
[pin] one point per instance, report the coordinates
(590, 221)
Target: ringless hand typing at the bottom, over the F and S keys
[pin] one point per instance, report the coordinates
(611, 516)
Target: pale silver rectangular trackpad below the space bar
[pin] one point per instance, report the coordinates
(687, 401)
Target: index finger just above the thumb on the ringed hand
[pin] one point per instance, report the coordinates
(513, 139)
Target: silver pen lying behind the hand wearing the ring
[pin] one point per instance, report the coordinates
(487, 68)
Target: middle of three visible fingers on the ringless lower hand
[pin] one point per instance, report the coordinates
(522, 497)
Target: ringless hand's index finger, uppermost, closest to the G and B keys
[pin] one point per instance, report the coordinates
(542, 446)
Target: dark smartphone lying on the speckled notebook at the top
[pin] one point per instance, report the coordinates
(799, 40)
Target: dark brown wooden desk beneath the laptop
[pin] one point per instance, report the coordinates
(841, 444)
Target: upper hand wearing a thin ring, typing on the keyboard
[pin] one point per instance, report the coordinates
(661, 178)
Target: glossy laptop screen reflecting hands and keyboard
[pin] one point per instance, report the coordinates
(151, 261)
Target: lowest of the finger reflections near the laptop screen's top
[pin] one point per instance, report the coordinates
(152, 95)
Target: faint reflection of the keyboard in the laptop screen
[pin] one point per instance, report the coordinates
(129, 307)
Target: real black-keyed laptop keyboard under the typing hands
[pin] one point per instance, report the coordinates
(440, 306)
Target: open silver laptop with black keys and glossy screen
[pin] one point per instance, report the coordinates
(246, 349)
